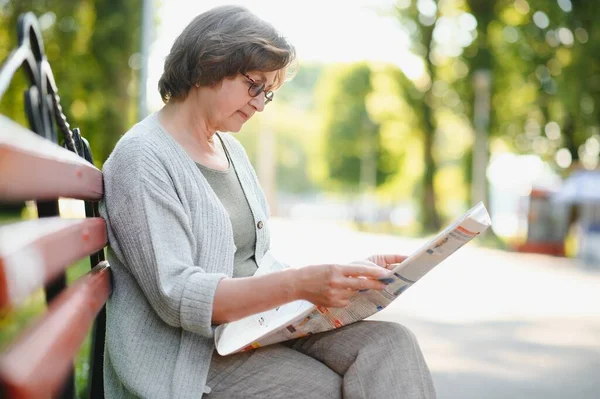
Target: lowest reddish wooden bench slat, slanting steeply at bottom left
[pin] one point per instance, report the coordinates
(39, 361)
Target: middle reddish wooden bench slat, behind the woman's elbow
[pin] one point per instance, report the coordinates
(34, 252)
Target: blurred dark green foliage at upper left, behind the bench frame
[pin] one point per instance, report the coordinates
(92, 47)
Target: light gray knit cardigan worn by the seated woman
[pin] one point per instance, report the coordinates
(170, 243)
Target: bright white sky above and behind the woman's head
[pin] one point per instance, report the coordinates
(321, 30)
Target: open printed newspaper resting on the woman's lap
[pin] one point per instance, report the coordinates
(301, 318)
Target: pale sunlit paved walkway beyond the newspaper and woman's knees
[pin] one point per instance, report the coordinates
(491, 324)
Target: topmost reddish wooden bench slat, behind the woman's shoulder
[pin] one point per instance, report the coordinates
(32, 167)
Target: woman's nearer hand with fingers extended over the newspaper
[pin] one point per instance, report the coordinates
(332, 285)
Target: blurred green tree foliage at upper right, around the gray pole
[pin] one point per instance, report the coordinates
(543, 61)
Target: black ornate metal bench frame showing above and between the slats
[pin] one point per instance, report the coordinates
(43, 111)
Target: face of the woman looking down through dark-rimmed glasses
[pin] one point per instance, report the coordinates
(234, 105)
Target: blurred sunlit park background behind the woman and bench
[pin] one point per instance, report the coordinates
(402, 115)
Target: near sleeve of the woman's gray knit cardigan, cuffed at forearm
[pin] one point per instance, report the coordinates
(150, 232)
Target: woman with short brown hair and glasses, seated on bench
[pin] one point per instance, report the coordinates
(187, 226)
